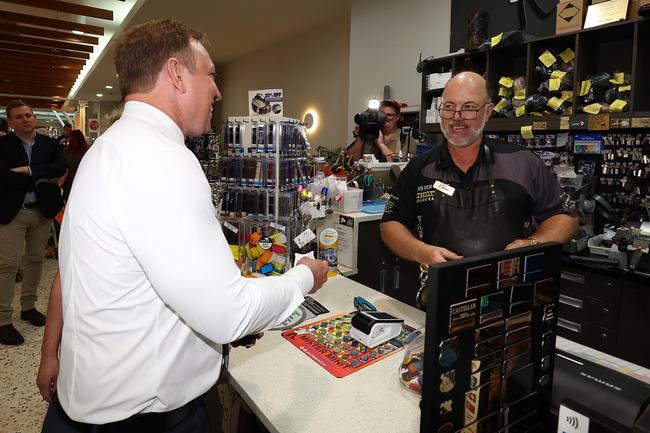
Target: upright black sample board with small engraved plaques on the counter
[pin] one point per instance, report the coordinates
(490, 342)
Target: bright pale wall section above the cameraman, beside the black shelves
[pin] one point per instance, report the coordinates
(386, 39)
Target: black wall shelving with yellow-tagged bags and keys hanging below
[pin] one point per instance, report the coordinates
(583, 95)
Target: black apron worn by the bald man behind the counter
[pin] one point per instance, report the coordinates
(476, 219)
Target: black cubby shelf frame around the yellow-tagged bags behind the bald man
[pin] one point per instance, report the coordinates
(618, 46)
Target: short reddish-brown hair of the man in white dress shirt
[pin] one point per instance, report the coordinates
(141, 52)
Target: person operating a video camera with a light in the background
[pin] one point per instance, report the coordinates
(388, 142)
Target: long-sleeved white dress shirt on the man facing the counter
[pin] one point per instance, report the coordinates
(150, 288)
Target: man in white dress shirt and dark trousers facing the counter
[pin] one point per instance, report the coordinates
(149, 288)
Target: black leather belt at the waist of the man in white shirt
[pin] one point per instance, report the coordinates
(145, 422)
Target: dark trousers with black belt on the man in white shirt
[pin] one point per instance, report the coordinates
(56, 421)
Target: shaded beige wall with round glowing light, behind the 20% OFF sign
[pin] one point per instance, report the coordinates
(311, 68)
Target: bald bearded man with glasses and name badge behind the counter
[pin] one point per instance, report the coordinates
(470, 196)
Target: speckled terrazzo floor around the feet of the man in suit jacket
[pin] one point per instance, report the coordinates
(21, 407)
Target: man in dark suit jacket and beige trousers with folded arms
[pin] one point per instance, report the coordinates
(29, 198)
